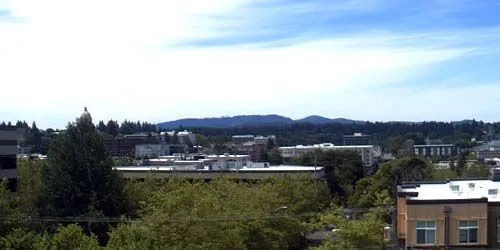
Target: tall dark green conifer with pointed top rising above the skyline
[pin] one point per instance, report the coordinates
(78, 179)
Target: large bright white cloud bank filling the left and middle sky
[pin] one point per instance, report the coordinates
(117, 57)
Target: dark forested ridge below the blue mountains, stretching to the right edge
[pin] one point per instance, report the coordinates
(390, 135)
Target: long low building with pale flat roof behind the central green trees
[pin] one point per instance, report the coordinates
(240, 174)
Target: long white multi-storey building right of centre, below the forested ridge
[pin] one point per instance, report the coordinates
(367, 152)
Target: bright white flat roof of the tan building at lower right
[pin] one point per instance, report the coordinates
(453, 190)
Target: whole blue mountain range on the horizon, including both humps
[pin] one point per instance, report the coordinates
(249, 120)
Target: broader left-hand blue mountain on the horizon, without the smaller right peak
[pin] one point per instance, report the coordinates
(227, 122)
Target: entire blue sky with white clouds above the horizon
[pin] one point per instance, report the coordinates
(377, 60)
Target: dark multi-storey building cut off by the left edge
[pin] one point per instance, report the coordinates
(8, 155)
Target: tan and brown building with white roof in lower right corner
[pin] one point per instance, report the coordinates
(459, 214)
